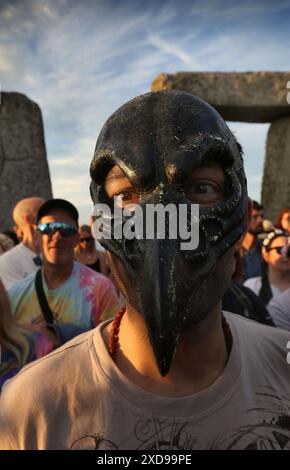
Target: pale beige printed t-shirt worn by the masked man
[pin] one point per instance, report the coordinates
(77, 398)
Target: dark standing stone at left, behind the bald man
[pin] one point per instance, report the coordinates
(24, 170)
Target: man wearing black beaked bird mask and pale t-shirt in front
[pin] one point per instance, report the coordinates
(172, 372)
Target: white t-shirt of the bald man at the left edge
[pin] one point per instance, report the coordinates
(16, 264)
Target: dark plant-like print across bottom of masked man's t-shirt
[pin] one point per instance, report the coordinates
(161, 433)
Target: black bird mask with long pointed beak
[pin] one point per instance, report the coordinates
(158, 140)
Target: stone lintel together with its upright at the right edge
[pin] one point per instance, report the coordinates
(249, 97)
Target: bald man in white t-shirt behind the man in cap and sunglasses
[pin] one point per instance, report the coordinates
(23, 259)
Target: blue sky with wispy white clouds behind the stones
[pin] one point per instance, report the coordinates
(80, 60)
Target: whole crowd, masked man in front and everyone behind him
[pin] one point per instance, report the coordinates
(173, 361)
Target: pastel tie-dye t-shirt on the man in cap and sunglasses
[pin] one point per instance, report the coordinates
(84, 299)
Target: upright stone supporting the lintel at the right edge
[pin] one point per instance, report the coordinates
(276, 179)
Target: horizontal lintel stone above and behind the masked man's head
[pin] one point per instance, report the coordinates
(246, 96)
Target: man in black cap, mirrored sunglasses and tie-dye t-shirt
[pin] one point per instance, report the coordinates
(77, 296)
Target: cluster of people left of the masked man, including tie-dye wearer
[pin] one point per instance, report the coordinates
(48, 294)
